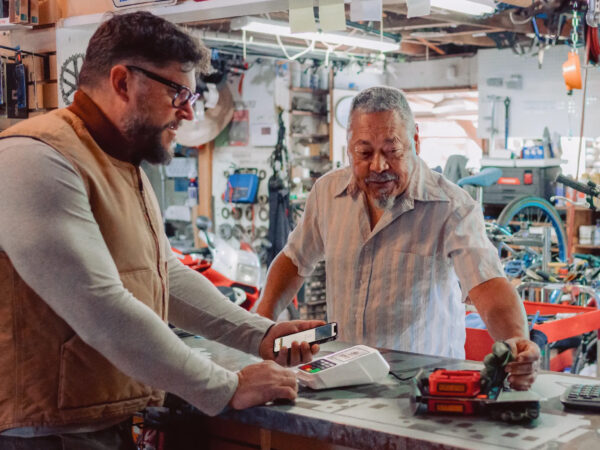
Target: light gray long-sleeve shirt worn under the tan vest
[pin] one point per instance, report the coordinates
(49, 233)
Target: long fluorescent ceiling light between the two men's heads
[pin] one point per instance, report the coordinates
(282, 29)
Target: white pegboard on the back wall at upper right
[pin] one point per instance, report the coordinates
(538, 96)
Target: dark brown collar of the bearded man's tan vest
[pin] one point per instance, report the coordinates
(102, 130)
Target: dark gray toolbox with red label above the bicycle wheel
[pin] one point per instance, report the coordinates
(519, 181)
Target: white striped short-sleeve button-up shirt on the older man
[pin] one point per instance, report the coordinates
(403, 284)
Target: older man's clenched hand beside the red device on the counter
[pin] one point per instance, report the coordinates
(525, 366)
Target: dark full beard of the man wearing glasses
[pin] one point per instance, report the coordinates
(146, 141)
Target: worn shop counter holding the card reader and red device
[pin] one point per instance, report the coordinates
(378, 416)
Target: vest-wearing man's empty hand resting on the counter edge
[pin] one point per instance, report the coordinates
(263, 382)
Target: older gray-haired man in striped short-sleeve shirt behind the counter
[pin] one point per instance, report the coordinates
(404, 248)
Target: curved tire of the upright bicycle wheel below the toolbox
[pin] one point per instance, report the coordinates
(519, 204)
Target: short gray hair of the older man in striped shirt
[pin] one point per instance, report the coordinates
(383, 98)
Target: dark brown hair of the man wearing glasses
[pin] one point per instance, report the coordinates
(140, 37)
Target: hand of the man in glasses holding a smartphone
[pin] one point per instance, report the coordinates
(300, 352)
